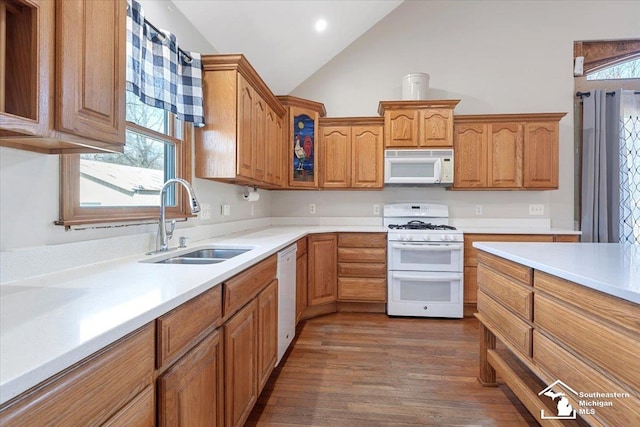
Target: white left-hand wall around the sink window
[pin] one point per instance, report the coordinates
(29, 182)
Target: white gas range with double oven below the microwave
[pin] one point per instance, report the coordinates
(425, 261)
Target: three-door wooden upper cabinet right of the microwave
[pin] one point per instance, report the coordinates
(506, 151)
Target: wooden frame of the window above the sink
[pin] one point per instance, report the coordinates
(71, 213)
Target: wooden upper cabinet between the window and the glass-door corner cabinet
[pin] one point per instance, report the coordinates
(242, 141)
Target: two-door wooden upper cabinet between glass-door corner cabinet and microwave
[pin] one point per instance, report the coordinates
(352, 152)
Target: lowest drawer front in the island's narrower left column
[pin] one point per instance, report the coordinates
(514, 329)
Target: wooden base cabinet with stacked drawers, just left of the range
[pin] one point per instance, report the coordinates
(362, 267)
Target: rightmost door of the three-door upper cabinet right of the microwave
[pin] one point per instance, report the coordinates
(541, 155)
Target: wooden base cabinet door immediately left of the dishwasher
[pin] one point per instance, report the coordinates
(267, 332)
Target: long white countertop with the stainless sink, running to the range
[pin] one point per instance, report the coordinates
(50, 322)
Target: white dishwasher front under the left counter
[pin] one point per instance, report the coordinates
(286, 299)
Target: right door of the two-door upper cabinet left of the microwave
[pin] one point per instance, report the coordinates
(367, 157)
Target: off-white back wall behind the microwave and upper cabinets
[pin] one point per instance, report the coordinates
(496, 56)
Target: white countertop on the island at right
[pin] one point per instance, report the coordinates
(610, 268)
